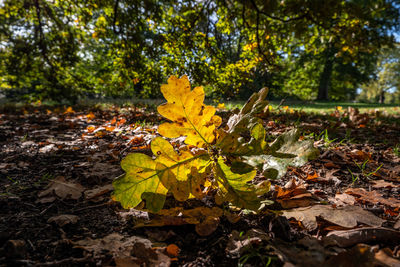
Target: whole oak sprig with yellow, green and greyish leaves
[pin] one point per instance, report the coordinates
(215, 159)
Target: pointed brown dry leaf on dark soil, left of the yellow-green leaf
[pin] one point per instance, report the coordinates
(63, 189)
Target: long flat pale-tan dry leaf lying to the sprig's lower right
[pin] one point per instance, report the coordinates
(347, 216)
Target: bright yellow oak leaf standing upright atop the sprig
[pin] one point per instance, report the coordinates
(189, 116)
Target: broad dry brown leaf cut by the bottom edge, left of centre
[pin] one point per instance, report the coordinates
(125, 250)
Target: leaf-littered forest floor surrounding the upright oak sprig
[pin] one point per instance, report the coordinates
(57, 166)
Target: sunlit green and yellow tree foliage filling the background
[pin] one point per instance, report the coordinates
(307, 49)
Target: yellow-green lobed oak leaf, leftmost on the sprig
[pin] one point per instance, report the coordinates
(150, 180)
